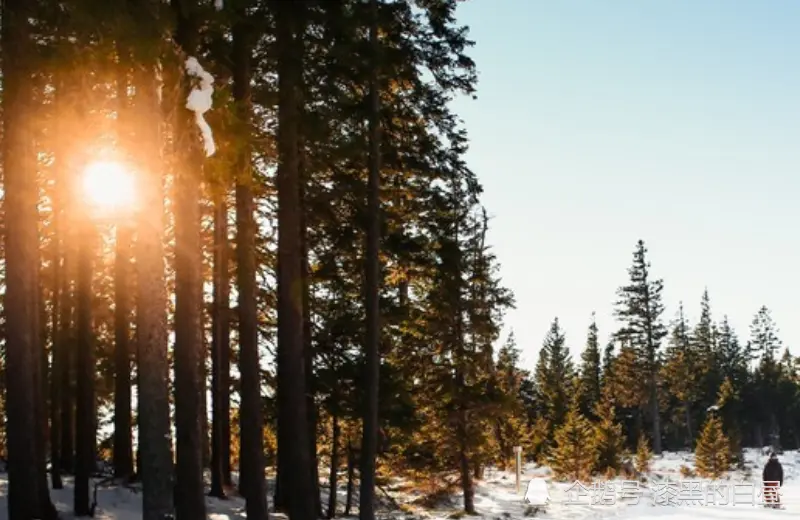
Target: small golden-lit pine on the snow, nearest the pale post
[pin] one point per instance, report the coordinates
(574, 454)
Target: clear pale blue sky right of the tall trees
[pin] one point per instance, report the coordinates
(600, 122)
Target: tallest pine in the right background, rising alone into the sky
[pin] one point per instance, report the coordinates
(640, 309)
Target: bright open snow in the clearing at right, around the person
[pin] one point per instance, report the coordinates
(738, 495)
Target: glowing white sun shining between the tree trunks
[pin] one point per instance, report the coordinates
(108, 187)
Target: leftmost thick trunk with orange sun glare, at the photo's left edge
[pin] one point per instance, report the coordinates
(21, 244)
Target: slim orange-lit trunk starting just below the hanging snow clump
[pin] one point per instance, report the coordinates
(220, 346)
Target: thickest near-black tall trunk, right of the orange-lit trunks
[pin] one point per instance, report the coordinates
(296, 486)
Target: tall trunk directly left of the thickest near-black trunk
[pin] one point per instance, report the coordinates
(251, 423)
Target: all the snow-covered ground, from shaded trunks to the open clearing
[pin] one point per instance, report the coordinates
(737, 496)
